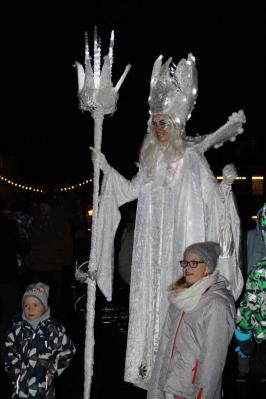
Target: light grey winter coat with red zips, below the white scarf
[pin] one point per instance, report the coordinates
(193, 347)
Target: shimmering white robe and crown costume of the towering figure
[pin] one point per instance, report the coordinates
(178, 204)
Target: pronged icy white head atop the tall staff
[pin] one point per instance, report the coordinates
(95, 88)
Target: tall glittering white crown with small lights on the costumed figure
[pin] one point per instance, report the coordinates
(173, 89)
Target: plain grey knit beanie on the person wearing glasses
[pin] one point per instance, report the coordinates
(209, 251)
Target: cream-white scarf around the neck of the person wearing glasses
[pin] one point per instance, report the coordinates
(187, 298)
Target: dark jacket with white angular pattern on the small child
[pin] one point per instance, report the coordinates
(31, 355)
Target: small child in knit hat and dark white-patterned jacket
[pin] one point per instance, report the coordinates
(37, 349)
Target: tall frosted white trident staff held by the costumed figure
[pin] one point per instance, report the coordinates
(98, 96)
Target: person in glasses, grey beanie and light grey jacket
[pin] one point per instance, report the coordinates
(198, 328)
